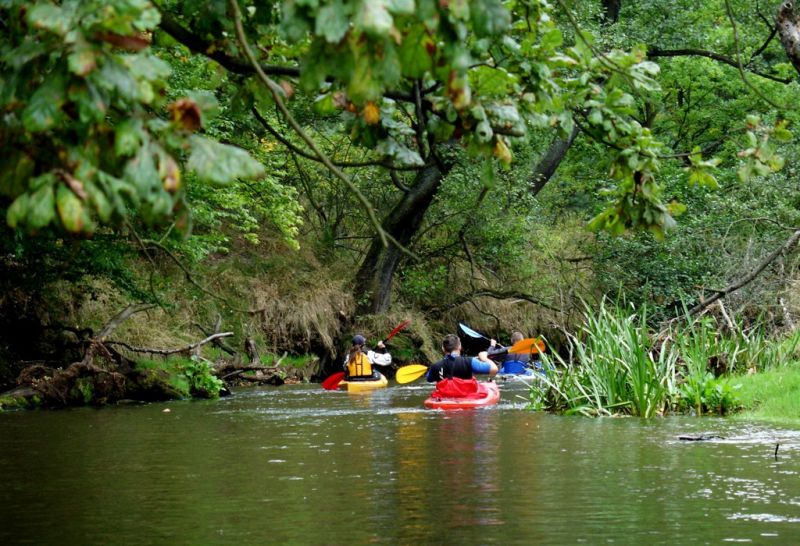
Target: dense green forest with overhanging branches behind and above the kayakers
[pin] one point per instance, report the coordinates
(294, 172)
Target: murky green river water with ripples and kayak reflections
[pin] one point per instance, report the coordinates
(301, 465)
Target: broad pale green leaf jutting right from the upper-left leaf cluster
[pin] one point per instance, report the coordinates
(220, 163)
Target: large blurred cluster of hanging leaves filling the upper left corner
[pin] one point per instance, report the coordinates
(83, 141)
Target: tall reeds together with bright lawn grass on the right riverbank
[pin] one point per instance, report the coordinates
(618, 366)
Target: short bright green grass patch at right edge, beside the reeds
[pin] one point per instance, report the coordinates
(771, 395)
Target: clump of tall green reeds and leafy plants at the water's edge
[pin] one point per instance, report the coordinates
(615, 366)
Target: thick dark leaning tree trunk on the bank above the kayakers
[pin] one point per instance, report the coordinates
(374, 278)
